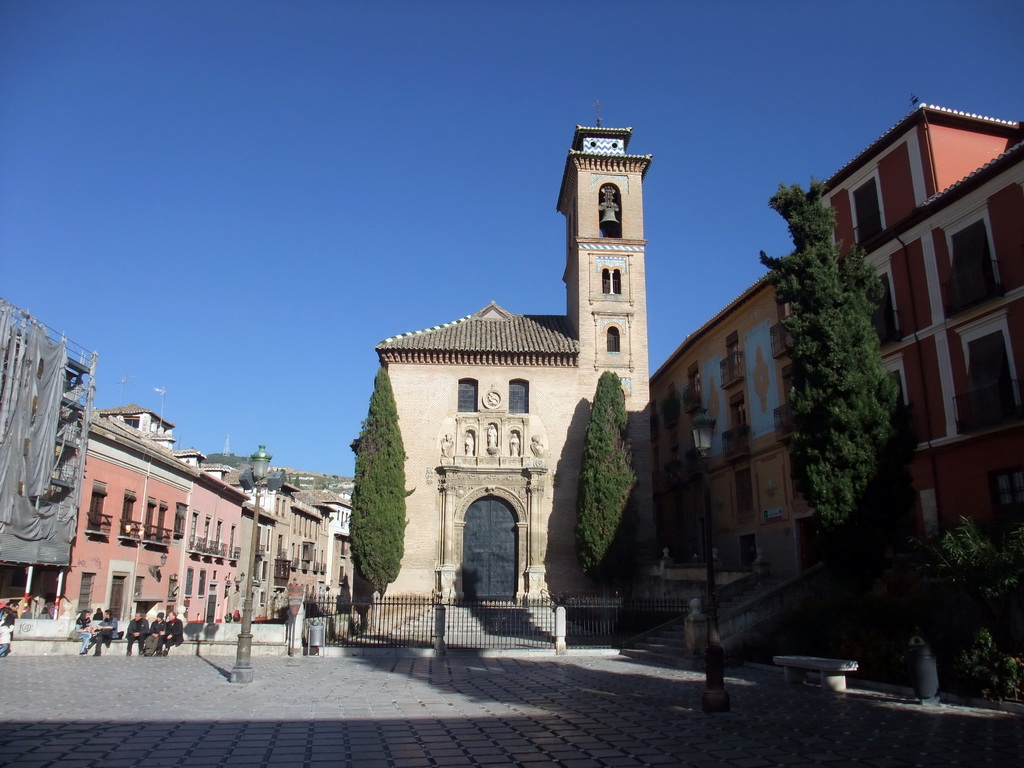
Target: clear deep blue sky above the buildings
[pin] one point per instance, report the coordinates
(236, 201)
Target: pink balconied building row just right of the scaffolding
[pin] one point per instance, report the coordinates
(157, 532)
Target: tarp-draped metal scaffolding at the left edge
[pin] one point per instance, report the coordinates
(47, 394)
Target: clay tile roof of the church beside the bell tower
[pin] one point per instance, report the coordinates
(493, 330)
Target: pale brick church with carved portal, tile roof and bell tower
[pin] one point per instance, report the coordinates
(493, 407)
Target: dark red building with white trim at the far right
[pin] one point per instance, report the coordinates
(937, 203)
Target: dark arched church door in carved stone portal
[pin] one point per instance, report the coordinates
(489, 551)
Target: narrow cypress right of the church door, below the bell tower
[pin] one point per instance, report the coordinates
(607, 480)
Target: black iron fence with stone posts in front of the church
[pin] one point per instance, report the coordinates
(416, 622)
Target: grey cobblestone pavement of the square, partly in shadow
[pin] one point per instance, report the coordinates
(408, 713)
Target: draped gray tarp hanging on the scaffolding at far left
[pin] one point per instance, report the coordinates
(32, 529)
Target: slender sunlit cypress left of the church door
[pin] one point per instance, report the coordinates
(378, 525)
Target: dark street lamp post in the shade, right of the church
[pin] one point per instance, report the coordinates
(715, 698)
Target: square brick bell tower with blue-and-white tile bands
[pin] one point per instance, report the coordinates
(603, 201)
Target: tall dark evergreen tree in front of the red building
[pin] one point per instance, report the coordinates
(852, 441)
